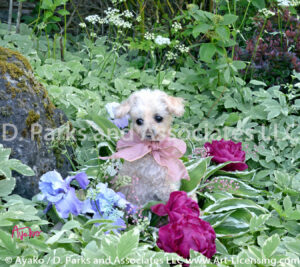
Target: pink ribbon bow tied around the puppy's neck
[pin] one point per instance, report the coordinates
(166, 153)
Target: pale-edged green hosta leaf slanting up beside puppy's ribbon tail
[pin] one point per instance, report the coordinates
(196, 173)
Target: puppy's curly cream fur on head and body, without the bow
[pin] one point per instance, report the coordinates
(149, 179)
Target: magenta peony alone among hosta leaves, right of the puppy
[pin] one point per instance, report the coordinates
(223, 151)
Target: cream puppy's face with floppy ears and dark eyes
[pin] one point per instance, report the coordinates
(151, 113)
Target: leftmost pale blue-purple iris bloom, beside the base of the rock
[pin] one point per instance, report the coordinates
(58, 192)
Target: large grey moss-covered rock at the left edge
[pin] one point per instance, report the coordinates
(26, 117)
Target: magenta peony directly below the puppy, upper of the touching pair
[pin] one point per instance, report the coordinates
(179, 204)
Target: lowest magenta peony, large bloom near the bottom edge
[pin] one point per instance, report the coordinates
(189, 232)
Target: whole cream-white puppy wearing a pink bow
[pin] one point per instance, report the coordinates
(152, 157)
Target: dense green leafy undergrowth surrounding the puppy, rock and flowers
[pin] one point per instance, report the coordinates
(255, 213)
